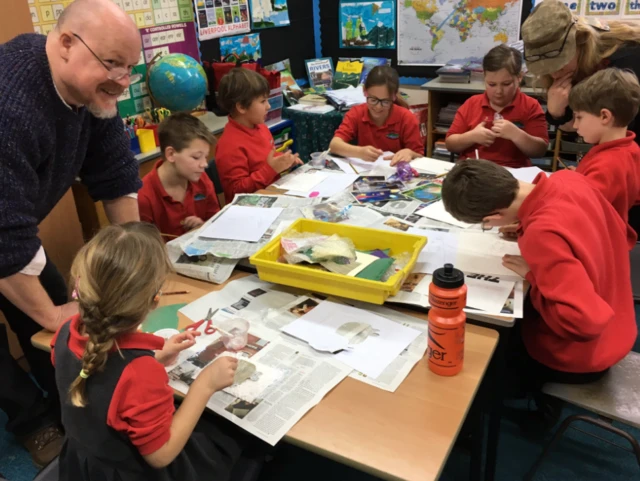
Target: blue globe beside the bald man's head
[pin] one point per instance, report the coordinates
(177, 82)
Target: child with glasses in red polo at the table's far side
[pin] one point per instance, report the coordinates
(383, 124)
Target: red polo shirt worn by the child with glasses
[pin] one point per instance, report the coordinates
(400, 131)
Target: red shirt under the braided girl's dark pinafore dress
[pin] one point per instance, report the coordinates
(142, 404)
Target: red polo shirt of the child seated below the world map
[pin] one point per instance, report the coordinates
(524, 112)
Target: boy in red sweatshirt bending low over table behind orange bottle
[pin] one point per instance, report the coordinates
(574, 254)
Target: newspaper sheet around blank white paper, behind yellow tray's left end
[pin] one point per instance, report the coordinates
(230, 249)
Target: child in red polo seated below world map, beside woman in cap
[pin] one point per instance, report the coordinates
(503, 124)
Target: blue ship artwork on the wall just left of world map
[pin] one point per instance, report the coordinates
(368, 24)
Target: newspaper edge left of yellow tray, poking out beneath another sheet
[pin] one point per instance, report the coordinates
(204, 267)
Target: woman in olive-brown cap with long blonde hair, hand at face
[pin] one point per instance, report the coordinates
(562, 50)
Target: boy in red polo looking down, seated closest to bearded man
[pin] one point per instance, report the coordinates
(177, 195)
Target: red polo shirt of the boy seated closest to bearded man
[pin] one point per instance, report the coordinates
(158, 207)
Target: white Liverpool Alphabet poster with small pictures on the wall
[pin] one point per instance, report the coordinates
(219, 18)
